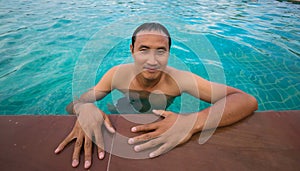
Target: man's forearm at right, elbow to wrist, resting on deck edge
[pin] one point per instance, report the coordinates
(226, 111)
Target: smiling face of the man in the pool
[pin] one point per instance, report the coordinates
(150, 53)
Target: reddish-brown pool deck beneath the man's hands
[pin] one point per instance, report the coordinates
(264, 141)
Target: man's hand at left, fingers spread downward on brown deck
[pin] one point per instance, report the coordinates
(87, 126)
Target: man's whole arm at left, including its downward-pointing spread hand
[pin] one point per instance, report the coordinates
(89, 122)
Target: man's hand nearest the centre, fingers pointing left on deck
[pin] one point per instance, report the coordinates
(173, 130)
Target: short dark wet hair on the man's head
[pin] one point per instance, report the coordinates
(150, 27)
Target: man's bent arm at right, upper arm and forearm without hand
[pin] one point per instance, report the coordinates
(229, 104)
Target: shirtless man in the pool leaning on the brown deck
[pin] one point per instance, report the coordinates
(150, 86)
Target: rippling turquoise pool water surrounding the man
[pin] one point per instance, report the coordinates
(41, 42)
